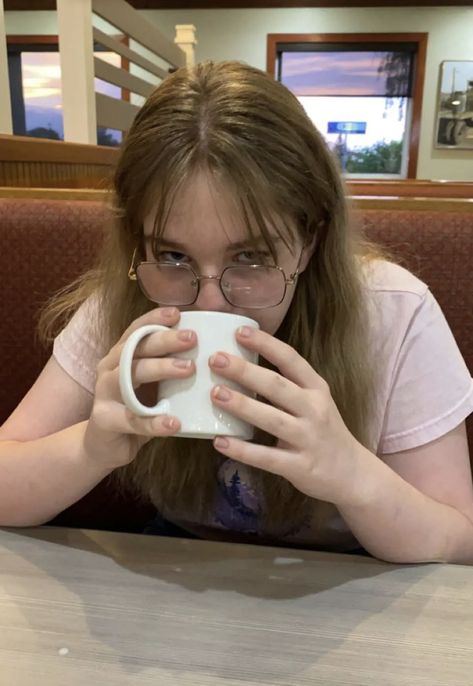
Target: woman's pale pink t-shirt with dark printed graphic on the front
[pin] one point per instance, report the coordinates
(425, 391)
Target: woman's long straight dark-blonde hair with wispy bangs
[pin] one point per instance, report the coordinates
(252, 134)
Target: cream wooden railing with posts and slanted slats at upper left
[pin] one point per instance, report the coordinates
(83, 109)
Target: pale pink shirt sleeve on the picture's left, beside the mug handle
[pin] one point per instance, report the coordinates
(79, 348)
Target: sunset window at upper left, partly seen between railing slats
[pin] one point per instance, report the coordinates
(35, 88)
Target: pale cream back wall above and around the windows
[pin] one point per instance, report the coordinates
(241, 34)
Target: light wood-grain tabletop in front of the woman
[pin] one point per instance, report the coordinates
(89, 608)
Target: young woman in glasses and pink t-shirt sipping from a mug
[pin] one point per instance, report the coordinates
(361, 396)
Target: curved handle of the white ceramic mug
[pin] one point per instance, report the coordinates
(126, 384)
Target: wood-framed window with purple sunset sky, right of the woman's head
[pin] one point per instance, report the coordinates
(362, 94)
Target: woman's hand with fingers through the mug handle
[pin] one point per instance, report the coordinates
(115, 434)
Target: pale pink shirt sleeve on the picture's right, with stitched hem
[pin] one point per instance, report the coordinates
(432, 389)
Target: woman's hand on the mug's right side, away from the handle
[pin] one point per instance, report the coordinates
(315, 451)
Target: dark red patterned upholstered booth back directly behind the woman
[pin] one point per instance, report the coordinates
(44, 244)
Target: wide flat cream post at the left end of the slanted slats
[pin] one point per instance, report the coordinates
(74, 19)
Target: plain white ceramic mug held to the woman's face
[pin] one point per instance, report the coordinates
(189, 399)
